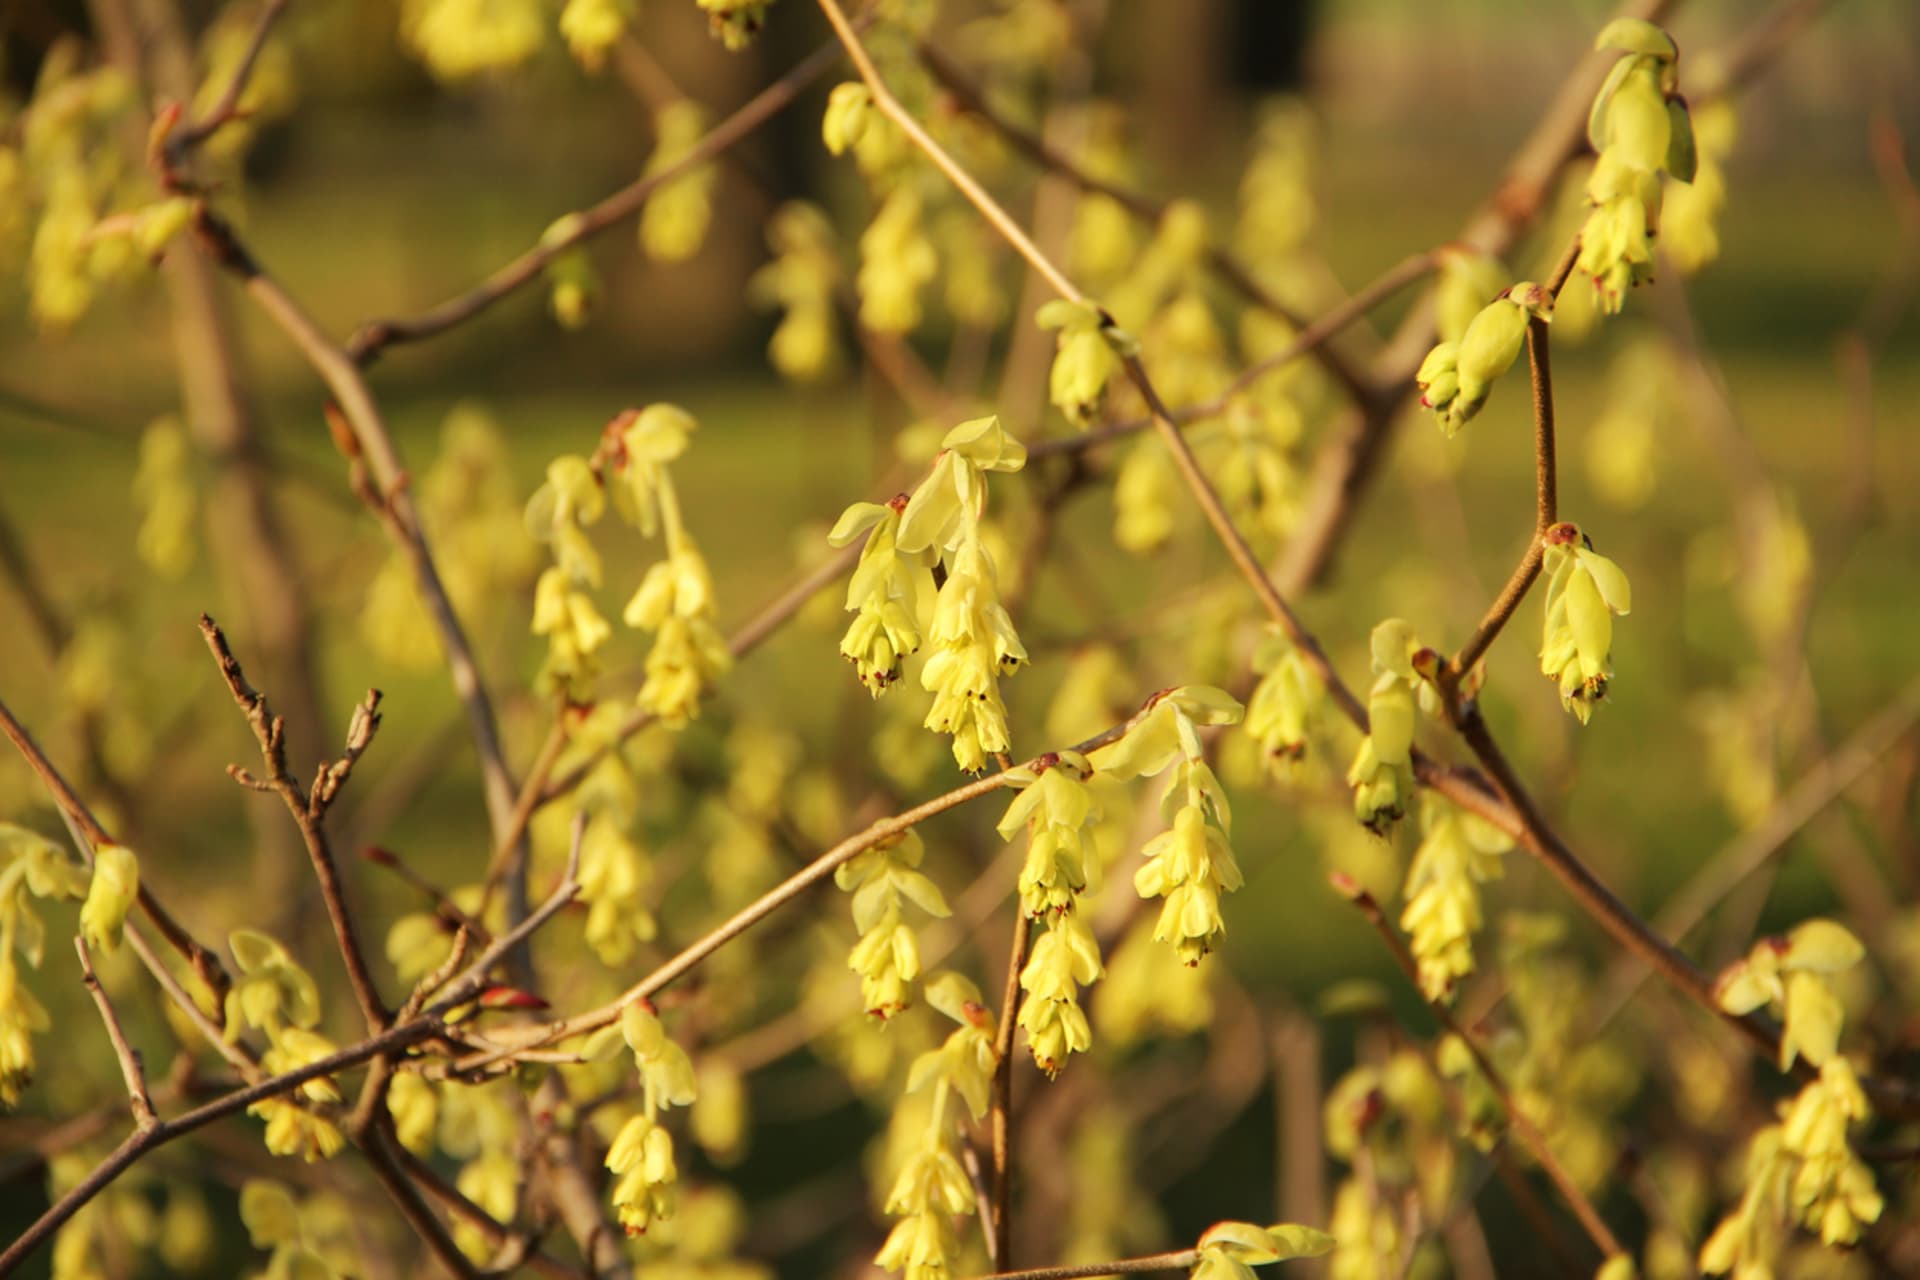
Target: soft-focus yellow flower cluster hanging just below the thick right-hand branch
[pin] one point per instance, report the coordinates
(1456, 857)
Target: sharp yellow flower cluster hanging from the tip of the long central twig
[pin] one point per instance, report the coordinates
(1191, 865)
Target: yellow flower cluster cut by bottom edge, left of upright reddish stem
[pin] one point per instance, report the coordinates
(932, 1187)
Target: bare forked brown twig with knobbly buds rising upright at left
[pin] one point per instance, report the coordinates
(310, 811)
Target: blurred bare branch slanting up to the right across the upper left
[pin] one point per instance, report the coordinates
(372, 339)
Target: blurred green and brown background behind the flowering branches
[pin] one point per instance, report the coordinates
(1777, 477)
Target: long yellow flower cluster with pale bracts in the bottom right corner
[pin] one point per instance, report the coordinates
(1802, 1170)
